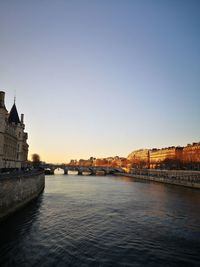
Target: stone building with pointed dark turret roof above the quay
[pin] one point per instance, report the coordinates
(13, 139)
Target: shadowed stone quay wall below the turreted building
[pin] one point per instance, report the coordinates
(17, 189)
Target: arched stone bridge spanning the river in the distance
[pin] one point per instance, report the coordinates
(89, 170)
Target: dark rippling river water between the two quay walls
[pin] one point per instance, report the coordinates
(104, 221)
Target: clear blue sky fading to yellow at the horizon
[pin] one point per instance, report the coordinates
(102, 78)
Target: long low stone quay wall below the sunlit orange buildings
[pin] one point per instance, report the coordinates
(182, 178)
